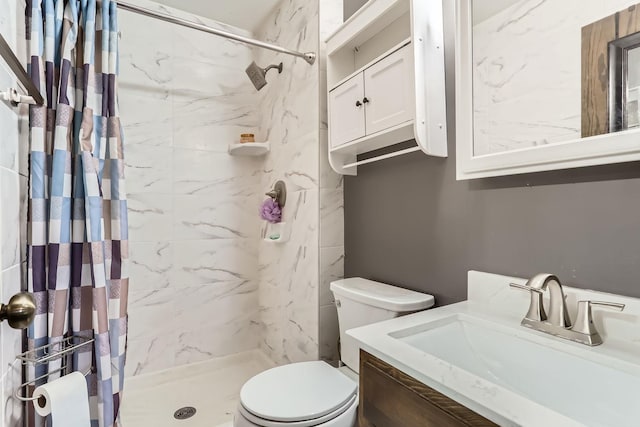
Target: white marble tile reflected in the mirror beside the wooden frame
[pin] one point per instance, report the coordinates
(531, 79)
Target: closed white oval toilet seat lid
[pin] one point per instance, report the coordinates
(297, 392)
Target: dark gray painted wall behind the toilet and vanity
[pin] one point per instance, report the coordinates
(409, 222)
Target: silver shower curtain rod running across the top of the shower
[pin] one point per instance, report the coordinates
(310, 57)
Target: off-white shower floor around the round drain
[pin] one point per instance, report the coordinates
(212, 387)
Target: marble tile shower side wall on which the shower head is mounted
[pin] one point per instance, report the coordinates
(289, 104)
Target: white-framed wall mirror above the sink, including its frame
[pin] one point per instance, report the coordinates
(544, 85)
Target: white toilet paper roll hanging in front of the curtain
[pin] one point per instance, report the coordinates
(67, 401)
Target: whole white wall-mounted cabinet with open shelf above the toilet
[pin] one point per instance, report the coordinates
(386, 80)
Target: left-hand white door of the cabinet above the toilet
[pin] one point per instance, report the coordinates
(346, 111)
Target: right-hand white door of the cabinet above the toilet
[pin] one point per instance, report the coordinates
(389, 91)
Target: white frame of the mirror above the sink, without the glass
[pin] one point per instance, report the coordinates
(596, 150)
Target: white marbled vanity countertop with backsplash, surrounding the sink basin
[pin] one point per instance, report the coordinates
(491, 300)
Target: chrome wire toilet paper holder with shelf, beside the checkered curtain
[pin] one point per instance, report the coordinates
(52, 352)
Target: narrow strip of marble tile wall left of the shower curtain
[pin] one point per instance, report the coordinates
(13, 190)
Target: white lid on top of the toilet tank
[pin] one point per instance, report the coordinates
(381, 295)
